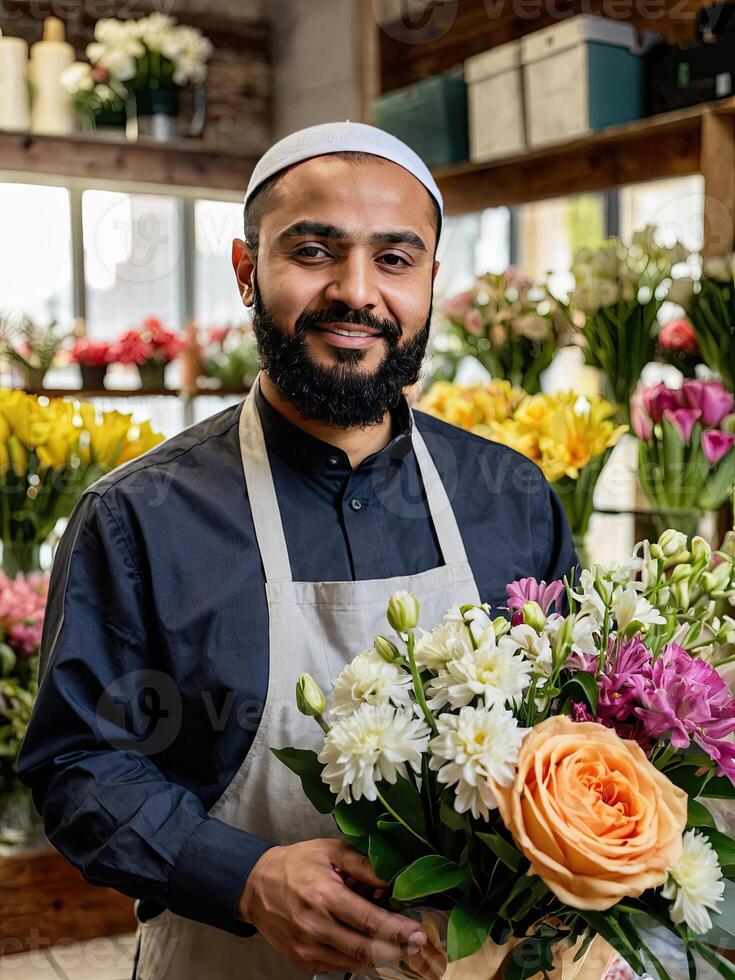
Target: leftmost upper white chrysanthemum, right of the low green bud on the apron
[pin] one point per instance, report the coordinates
(368, 679)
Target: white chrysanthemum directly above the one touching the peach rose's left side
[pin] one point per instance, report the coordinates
(494, 672)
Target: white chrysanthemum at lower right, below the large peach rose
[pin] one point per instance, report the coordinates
(695, 882)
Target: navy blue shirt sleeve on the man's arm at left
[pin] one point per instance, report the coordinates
(90, 749)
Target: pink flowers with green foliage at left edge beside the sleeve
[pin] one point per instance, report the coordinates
(22, 608)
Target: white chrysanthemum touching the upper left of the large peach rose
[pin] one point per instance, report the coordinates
(476, 744)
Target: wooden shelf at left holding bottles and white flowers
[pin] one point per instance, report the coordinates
(179, 163)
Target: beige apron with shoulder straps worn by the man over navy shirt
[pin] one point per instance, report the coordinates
(316, 627)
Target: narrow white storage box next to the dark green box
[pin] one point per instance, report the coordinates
(495, 103)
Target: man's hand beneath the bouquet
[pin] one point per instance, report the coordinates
(297, 898)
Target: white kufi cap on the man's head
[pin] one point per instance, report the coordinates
(340, 137)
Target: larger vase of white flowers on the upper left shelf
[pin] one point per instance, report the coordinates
(155, 58)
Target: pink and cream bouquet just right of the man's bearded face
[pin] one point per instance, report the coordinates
(510, 325)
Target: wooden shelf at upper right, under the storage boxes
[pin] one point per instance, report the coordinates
(668, 145)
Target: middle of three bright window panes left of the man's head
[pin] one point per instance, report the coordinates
(133, 260)
